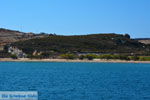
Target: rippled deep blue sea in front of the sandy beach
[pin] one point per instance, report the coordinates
(78, 81)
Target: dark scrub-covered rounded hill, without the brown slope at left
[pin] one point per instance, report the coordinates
(101, 43)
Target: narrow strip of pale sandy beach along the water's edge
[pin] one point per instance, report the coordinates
(68, 60)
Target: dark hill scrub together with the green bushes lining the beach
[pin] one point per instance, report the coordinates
(95, 46)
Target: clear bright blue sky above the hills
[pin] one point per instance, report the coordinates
(77, 17)
